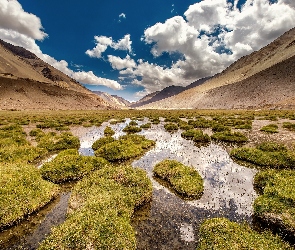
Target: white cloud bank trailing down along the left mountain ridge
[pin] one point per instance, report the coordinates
(22, 29)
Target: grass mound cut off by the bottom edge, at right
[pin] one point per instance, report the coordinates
(222, 234)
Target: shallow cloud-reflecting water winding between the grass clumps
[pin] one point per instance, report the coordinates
(170, 222)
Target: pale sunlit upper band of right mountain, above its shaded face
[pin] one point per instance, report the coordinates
(279, 50)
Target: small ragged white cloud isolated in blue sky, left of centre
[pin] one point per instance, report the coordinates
(103, 42)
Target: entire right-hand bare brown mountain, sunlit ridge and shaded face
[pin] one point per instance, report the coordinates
(263, 79)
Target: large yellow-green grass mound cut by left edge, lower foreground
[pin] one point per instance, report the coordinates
(22, 191)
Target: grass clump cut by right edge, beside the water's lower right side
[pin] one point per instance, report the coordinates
(277, 197)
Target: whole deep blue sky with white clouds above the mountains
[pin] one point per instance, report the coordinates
(132, 47)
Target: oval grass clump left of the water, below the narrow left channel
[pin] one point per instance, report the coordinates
(69, 165)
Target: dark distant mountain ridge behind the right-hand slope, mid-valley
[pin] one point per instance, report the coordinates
(167, 92)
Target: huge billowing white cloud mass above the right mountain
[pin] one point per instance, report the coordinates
(213, 34)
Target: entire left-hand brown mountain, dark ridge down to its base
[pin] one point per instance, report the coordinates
(27, 82)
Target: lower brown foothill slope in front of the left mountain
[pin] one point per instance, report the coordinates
(27, 94)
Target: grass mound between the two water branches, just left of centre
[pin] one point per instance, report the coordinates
(125, 148)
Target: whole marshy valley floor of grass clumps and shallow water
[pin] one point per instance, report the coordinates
(143, 210)
